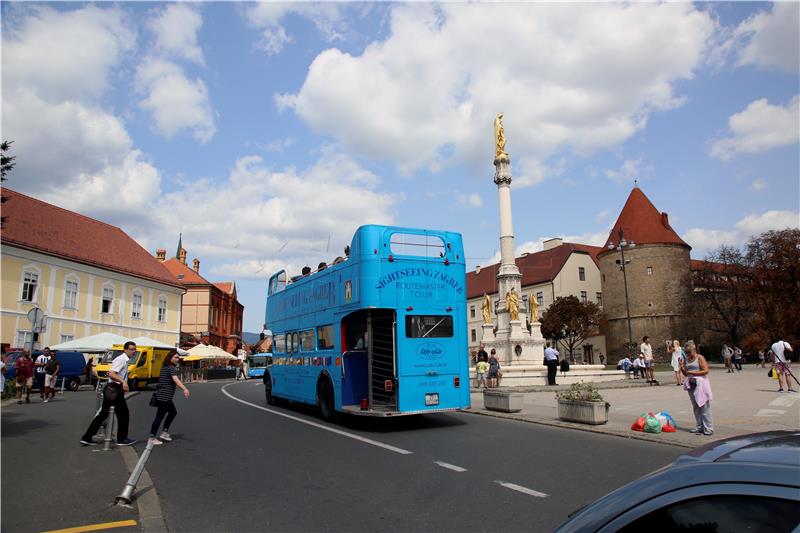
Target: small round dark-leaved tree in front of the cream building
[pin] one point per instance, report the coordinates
(570, 322)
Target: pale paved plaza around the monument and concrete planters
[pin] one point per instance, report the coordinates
(745, 402)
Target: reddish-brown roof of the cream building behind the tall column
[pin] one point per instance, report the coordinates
(539, 267)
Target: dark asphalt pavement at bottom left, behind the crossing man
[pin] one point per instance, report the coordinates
(51, 482)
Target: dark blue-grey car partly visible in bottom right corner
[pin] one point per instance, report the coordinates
(746, 483)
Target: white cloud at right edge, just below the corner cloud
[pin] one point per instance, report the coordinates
(760, 128)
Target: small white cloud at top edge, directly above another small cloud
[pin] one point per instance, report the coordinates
(175, 28)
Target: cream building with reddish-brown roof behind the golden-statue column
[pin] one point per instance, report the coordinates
(560, 269)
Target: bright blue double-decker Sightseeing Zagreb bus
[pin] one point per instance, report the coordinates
(381, 332)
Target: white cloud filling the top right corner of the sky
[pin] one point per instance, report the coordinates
(770, 39)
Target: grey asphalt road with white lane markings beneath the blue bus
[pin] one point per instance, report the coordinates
(245, 466)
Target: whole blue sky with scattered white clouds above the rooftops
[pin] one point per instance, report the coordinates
(267, 133)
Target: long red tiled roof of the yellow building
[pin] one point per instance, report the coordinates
(36, 225)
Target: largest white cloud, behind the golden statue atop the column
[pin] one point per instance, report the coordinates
(584, 77)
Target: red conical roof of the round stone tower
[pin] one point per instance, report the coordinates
(642, 223)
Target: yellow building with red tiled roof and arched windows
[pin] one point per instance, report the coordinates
(86, 276)
